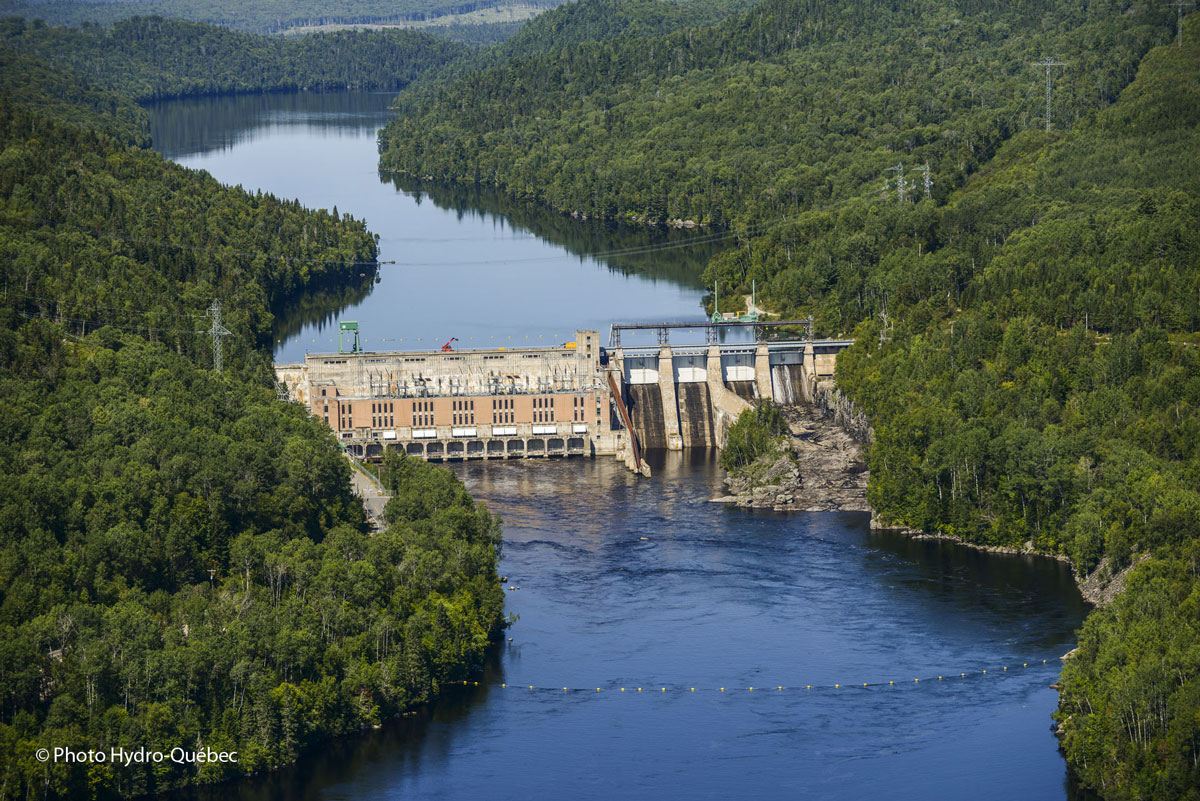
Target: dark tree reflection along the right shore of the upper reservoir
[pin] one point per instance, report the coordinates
(583, 238)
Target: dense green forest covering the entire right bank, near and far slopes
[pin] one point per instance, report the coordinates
(1027, 323)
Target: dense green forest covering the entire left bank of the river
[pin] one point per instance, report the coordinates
(182, 559)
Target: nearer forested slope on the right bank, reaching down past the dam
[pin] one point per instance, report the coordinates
(1039, 383)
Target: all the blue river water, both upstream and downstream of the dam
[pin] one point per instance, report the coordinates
(632, 583)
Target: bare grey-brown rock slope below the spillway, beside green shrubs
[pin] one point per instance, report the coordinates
(820, 468)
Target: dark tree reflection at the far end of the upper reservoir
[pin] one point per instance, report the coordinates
(197, 125)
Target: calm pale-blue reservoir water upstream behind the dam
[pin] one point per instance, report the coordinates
(467, 266)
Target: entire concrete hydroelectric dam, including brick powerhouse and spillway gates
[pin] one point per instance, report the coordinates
(578, 399)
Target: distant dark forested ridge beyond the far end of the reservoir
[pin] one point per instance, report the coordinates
(151, 58)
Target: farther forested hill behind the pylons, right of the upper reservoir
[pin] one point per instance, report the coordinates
(791, 106)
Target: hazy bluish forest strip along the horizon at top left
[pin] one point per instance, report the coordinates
(251, 16)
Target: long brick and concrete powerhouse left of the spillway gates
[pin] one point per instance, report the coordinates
(464, 405)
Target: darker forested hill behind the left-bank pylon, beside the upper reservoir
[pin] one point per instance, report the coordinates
(97, 233)
